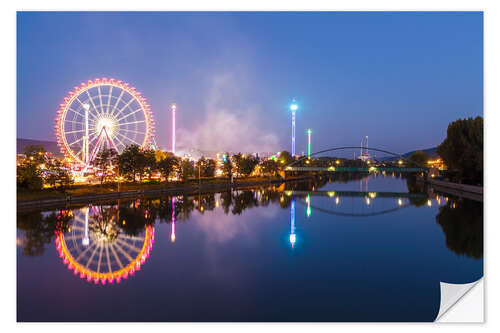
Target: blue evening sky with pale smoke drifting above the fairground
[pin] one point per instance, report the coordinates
(399, 78)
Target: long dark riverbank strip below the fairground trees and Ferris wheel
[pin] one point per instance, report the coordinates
(84, 194)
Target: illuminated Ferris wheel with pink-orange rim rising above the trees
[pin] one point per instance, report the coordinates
(102, 113)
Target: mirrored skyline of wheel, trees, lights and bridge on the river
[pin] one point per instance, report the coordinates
(107, 243)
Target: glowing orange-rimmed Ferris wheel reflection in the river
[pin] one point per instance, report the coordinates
(96, 249)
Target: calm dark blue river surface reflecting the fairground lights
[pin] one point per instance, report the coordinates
(365, 250)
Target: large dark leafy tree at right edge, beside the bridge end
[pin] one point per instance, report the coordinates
(462, 150)
